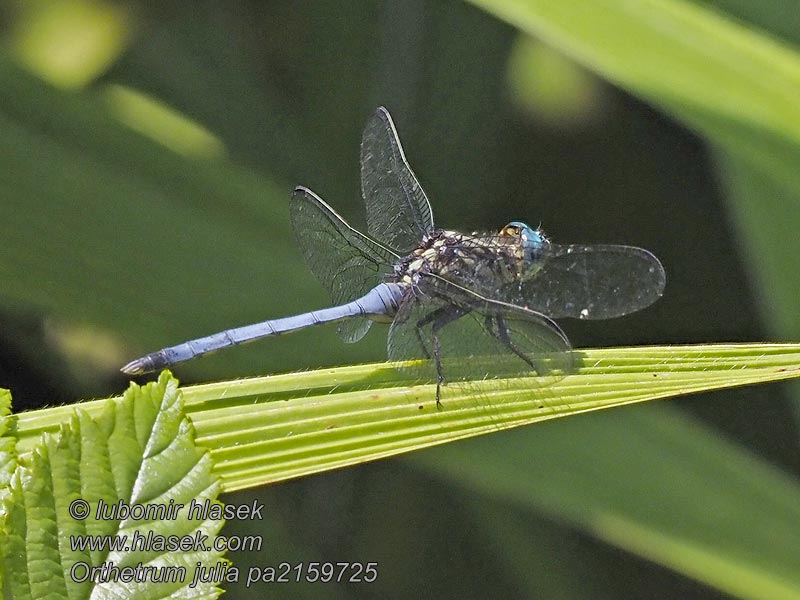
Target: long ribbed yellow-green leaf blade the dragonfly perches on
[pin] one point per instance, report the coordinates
(267, 429)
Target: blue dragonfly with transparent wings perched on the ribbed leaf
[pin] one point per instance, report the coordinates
(464, 305)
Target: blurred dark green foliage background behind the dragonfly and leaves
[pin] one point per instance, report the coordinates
(147, 155)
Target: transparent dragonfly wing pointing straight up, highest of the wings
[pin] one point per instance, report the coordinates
(398, 211)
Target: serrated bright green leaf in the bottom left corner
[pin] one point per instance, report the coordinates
(135, 450)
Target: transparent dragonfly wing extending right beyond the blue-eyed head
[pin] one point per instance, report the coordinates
(589, 282)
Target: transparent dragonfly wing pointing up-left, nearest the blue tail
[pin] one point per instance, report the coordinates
(347, 263)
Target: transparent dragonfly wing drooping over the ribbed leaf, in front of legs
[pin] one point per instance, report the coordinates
(491, 340)
